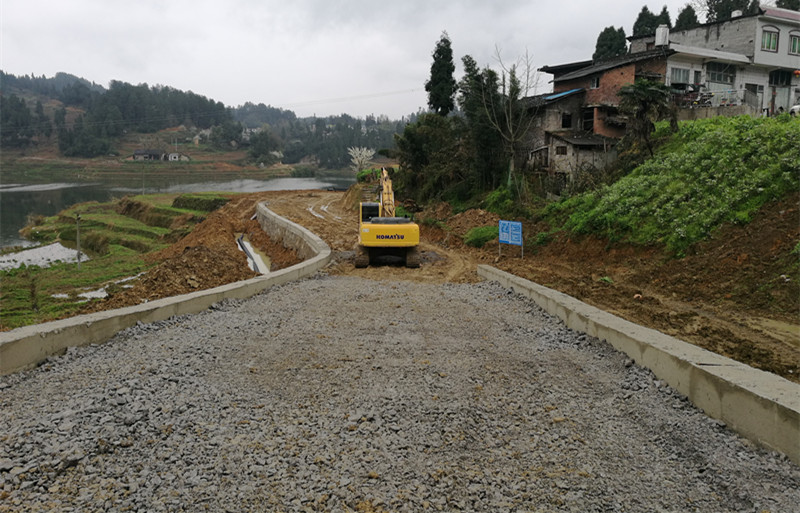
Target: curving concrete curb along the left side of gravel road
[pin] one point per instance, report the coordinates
(26, 347)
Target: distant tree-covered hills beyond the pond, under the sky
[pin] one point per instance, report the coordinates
(84, 119)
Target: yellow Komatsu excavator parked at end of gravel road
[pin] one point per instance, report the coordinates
(381, 233)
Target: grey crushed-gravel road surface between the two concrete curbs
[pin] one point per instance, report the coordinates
(345, 394)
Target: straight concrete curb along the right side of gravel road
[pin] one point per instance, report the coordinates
(758, 405)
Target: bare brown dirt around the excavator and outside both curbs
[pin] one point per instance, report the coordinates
(712, 299)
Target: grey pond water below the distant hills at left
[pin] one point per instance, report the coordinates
(20, 201)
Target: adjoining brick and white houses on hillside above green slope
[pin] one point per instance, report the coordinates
(744, 65)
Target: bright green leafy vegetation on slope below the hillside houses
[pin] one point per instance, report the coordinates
(717, 170)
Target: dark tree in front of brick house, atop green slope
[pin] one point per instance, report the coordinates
(645, 102)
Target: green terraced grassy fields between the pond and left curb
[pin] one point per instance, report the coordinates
(117, 235)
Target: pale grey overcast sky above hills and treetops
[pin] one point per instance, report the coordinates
(315, 57)
